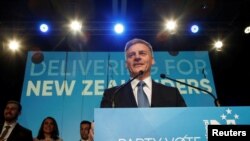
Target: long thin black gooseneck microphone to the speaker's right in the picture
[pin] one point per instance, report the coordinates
(216, 101)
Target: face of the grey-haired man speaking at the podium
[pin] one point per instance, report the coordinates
(139, 58)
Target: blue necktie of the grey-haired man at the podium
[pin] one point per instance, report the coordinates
(141, 96)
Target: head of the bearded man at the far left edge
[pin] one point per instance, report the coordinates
(11, 112)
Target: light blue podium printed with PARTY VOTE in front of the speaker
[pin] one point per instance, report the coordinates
(164, 124)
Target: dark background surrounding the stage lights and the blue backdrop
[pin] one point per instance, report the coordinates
(219, 19)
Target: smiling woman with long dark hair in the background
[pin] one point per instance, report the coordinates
(48, 130)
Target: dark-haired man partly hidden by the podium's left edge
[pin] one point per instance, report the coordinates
(85, 127)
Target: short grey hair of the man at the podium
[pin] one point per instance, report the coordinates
(135, 41)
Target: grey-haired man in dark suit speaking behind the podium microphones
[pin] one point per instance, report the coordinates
(139, 59)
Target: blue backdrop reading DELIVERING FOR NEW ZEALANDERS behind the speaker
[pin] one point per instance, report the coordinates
(69, 85)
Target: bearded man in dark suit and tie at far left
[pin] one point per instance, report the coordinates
(15, 131)
